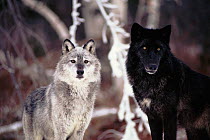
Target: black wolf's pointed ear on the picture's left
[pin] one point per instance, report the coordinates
(136, 32)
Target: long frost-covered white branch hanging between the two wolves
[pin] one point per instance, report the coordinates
(117, 58)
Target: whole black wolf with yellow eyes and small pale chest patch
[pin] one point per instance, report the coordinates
(166, 89)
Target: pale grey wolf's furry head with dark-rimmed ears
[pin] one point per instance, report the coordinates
(78, 63)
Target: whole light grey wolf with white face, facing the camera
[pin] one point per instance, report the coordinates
(63, 109)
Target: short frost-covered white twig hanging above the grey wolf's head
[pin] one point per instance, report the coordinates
(76, 21)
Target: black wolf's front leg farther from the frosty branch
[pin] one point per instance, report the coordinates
(170, 126)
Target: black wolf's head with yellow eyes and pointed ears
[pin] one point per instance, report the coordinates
(150, 45)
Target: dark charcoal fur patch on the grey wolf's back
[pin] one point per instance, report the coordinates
(36, 97)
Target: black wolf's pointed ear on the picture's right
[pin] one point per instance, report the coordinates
(165, 33)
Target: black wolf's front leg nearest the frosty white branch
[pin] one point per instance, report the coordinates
(156, 127)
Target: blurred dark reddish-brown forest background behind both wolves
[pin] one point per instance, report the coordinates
(30, 48)
